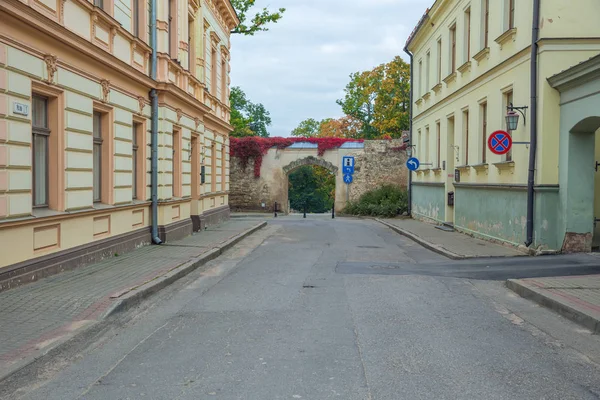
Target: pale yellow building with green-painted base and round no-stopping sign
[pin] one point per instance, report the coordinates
(471, 60)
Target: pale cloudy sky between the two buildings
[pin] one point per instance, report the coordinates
(301, 65)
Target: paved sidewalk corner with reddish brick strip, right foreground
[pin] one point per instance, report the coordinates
(574, 297)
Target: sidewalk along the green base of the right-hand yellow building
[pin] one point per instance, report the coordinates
(454, 245)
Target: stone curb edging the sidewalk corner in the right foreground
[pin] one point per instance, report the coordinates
(537, 295)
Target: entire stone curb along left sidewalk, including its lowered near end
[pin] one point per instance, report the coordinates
(132, 298)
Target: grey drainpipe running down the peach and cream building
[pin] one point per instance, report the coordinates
(154, 127)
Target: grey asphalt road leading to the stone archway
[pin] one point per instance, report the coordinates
(308, 309)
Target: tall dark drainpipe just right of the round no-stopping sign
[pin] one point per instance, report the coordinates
(533, 128)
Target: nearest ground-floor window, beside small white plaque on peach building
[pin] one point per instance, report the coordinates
(41, 134)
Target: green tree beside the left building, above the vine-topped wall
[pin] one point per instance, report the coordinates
(247, 118)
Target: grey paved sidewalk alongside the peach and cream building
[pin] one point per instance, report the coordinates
(39, 316)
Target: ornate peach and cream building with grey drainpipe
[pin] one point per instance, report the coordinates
(78, 79)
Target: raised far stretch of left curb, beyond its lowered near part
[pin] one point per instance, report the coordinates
(140, 293)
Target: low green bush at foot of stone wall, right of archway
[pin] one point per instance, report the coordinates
(386, 201)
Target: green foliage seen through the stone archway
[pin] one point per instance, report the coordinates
(313, 187)
